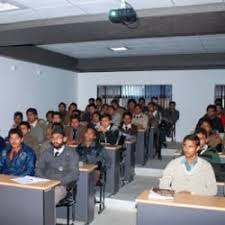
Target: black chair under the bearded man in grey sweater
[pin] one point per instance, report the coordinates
(69, 202)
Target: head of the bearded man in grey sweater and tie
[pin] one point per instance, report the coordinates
(57, 135)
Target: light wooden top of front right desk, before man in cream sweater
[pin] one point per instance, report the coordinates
(186, 200)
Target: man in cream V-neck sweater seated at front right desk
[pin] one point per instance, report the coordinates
(190, 173)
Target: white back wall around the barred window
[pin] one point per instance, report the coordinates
(192, 90)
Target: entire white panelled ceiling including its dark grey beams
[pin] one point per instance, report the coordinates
(76, 34)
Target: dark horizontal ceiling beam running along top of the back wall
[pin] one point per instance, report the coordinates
(166, 62)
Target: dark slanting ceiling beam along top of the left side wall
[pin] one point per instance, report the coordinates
(40, 56)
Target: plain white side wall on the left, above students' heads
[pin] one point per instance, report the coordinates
(26, 85)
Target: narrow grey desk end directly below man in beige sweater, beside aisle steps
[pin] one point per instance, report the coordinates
(140, 154)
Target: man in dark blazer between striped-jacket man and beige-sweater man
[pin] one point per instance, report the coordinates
(127, 128)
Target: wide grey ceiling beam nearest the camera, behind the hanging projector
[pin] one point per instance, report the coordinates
(176, 21)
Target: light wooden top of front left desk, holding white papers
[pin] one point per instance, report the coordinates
(7, 181)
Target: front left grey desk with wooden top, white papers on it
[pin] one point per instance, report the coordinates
(27, 204)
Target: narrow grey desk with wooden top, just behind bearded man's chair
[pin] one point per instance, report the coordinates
(85, 206)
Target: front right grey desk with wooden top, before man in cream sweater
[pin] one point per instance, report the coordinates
(184, 209)
